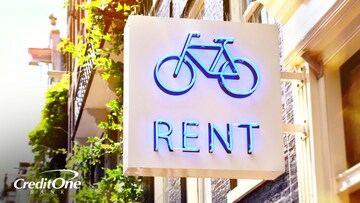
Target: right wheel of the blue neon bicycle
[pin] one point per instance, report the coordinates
(244, 83)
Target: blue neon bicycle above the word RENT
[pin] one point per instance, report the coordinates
(228, 71)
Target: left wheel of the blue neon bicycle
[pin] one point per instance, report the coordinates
(170, 83)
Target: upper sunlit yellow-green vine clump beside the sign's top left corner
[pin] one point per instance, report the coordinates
(104, 22)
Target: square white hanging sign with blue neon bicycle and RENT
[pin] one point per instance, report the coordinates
(201, 99)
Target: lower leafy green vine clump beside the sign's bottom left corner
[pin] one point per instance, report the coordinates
(113, 186)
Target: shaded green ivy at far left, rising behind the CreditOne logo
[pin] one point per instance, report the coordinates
(49, 139)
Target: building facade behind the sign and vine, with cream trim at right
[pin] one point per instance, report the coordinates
(319, 49)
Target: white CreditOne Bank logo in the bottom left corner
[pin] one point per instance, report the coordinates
(50, 184)
